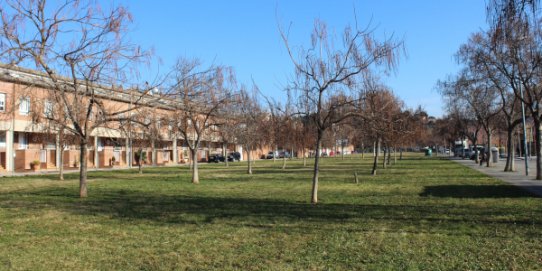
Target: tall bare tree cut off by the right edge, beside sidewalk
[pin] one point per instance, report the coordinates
(515, 27)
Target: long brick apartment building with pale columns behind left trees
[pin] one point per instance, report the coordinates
(25, 138)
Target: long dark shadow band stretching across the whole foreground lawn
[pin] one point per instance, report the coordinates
(136, 206)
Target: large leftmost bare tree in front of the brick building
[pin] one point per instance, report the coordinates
(79, 47)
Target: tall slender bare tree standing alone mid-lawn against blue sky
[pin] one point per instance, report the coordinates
(324, 73)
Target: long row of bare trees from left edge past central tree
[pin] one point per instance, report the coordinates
(79, 48)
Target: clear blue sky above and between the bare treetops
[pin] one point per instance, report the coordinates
(244, 35)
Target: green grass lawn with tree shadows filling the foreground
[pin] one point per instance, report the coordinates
(420, 214)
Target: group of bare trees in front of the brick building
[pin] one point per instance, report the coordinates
(85, 62)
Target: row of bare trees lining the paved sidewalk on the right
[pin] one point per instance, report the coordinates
(501, 76)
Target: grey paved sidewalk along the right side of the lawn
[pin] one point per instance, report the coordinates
(517, 178)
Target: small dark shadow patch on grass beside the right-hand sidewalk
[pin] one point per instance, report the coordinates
(475, 191)
